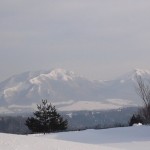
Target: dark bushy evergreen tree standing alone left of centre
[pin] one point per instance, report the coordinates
(46, 119)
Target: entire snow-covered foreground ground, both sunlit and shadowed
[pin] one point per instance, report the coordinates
(130, 138)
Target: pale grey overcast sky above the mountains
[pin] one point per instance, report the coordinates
(99, 39)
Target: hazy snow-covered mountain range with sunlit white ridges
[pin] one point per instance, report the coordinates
(68, 91)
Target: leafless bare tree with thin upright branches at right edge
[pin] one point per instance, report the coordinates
(143, 90)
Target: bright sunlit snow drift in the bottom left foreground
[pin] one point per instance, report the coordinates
(20, 142)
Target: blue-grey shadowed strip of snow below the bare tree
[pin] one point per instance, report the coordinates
(113, 135)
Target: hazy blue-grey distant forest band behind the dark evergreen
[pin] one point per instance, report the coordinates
(77, 120)
